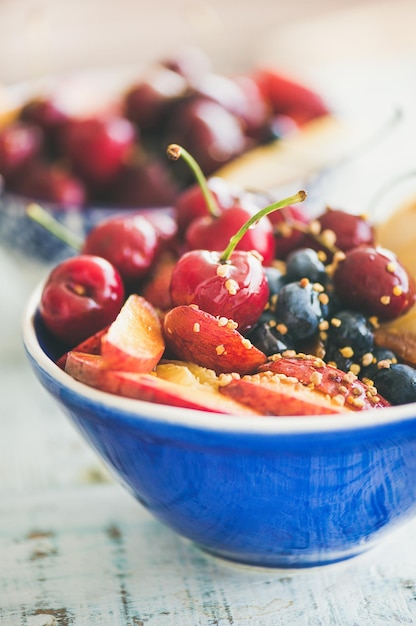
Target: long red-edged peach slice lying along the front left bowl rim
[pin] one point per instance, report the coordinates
(95, 371)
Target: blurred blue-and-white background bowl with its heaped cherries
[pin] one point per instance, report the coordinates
(93, 143)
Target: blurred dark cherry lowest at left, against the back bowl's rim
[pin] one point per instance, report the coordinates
(50, 183)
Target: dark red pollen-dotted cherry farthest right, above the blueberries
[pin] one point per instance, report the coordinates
(373, 281)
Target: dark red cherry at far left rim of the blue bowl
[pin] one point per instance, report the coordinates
(81, 296)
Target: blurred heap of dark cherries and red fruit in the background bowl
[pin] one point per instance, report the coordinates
(52, 154)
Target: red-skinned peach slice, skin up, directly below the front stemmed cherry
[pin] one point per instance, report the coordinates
(213, 342)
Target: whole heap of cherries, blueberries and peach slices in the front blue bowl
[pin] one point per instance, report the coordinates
(234, 306)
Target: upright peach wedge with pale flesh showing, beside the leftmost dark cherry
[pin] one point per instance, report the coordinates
(134, 341)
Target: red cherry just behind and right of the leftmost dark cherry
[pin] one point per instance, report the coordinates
(129, 242)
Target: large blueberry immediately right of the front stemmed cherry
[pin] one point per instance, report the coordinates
(298, 308)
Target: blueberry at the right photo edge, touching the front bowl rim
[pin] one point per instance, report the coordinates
(396, 383)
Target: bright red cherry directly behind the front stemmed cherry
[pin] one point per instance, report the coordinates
(209, 232)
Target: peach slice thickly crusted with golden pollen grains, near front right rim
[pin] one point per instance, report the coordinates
(314, 374)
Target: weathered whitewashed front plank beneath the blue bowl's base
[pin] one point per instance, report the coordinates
(93, 556)
